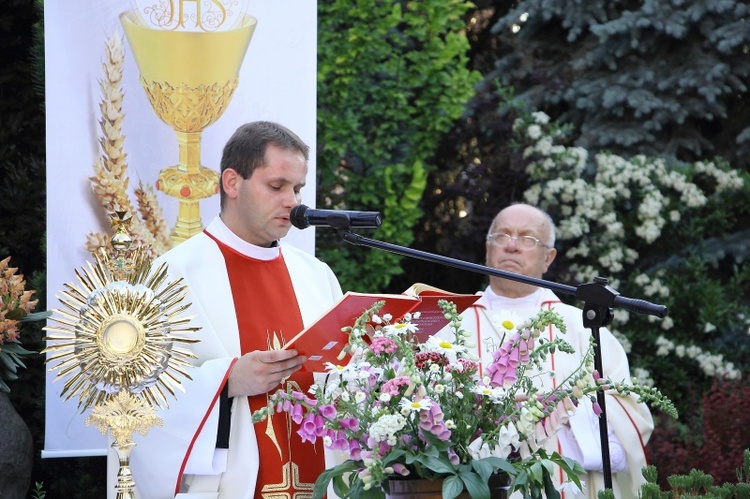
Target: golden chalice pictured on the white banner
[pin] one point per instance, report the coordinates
(189, 78)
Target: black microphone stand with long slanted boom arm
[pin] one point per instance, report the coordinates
(599, 302)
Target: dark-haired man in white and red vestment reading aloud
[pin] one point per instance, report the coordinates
(245, 286)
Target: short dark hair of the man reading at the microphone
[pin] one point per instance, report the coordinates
(246, 148)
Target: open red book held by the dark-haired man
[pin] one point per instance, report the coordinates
(323, 341)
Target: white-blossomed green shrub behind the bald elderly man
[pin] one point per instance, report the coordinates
(667, 232)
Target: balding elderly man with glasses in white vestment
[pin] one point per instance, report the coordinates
(521, 240)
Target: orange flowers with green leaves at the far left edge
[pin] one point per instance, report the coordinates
(15, 305)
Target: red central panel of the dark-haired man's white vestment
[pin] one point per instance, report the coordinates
(265, 303)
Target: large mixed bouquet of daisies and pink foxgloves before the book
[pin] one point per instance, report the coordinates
(405, 409)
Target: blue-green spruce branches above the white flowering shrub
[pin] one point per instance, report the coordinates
(656, 77)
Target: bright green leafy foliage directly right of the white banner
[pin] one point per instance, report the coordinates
(392, 78)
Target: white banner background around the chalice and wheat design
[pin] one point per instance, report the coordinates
(277, 82)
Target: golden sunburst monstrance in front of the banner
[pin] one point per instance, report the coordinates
(120, 343)
